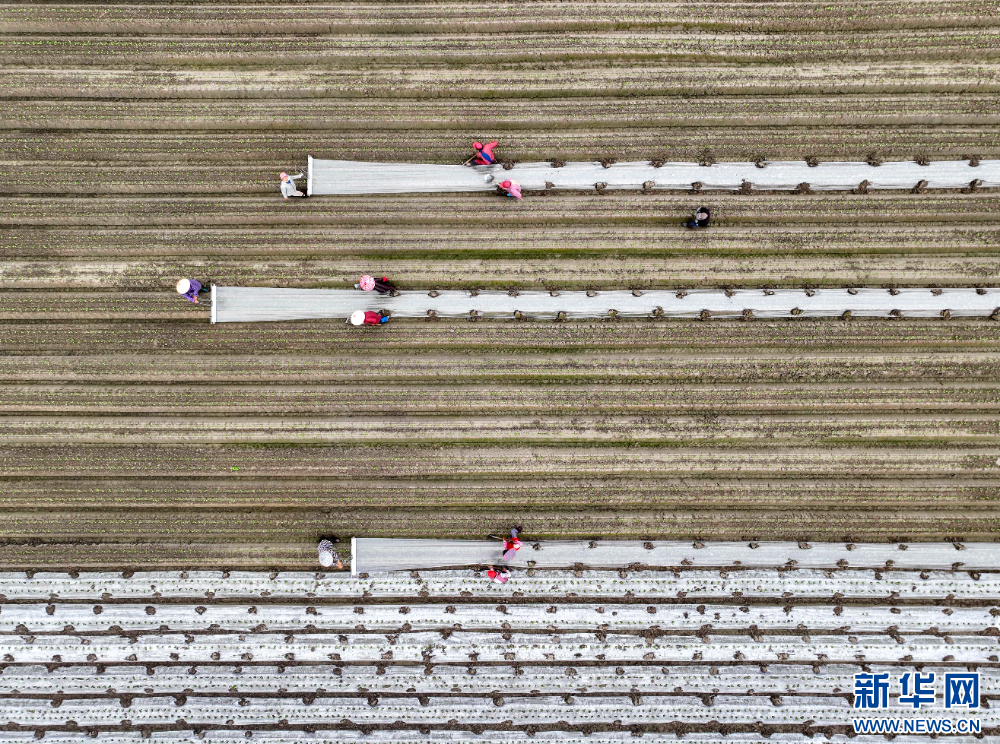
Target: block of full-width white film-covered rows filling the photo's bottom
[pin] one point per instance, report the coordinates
(727, 655)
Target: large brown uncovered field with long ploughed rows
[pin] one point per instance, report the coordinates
(141, 142)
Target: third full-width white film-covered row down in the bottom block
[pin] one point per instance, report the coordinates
(430, 649)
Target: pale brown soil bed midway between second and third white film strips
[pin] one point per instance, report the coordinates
(765, 431)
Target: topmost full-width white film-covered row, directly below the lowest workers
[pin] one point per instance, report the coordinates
(735, 583)
